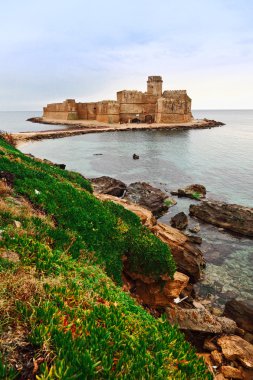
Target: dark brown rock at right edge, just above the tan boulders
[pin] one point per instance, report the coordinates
(241, 312)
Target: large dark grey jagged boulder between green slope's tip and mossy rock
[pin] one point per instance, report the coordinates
(149, 197)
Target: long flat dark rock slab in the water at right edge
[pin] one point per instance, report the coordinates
(232, 217)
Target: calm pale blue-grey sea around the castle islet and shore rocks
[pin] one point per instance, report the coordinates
(220, 158)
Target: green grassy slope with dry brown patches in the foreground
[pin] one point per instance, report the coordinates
(60, 277)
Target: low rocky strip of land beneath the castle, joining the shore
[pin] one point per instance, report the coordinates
(81, 127)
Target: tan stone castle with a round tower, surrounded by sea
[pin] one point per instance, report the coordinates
(155, 105)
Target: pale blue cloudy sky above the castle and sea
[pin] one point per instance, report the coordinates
(51, 50)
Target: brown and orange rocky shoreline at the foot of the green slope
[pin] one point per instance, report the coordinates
(224, 339)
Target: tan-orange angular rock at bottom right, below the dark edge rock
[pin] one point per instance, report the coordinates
(235, 348)
